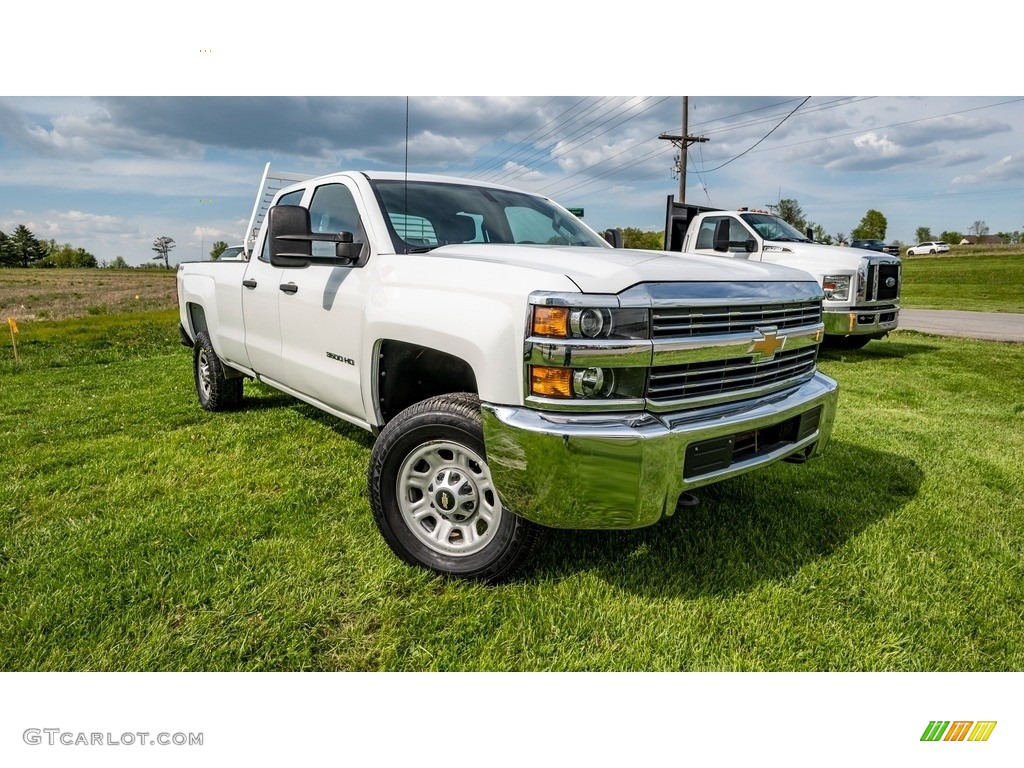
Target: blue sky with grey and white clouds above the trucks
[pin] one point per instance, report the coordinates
(111, 175)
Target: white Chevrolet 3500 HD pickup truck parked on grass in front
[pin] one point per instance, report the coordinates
(519, 372)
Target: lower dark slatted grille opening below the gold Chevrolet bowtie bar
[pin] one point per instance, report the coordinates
(698, 381)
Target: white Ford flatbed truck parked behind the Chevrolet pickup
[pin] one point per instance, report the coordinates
(862, 287)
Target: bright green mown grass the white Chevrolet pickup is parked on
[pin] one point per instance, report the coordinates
(139, 532)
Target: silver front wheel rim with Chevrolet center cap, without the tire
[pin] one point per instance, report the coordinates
(448, 499)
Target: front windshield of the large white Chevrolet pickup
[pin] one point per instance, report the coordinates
(423, 216)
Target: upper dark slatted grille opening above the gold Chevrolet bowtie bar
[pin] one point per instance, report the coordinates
(677, 322)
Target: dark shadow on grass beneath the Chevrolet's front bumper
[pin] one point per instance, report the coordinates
(759, 528)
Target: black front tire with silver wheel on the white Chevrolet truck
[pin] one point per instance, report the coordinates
(433, 497)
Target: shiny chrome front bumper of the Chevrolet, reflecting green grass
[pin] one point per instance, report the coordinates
(627, 471)
